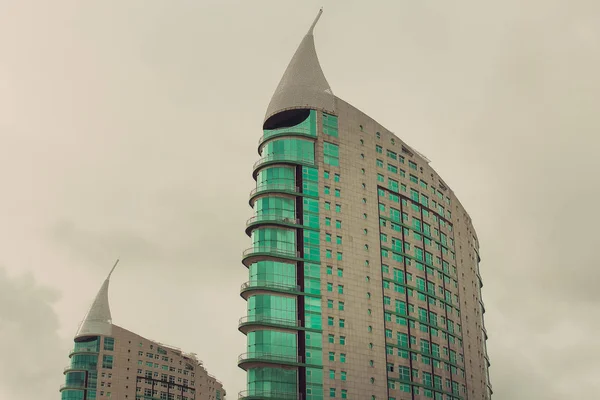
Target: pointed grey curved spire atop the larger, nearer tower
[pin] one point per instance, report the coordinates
(303, 84)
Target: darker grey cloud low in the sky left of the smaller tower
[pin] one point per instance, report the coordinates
(31, 349)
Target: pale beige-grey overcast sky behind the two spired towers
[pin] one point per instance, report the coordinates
(129, 128)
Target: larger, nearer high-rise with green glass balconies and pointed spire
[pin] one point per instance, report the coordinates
(364, 267)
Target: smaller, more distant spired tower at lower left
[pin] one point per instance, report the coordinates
(109, 362)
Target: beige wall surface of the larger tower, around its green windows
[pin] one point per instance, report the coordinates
(365, 325)
